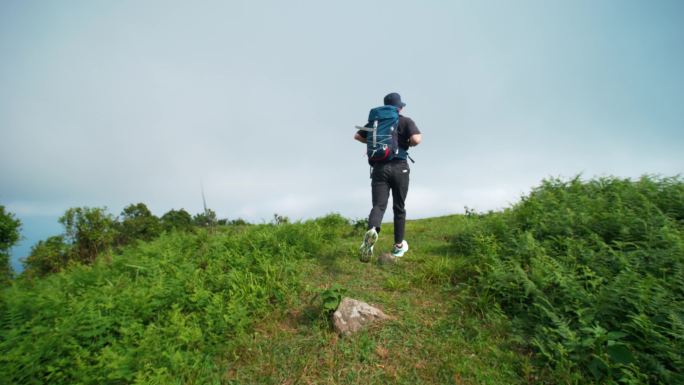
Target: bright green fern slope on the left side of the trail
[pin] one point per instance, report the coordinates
(167, 311)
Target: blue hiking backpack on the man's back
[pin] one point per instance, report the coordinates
(382, 142)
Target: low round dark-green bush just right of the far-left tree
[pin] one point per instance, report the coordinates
(48, 256)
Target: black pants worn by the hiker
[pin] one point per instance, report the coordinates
(394, 176)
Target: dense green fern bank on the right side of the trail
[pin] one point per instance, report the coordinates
(592, 275)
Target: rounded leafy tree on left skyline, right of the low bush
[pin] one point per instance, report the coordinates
(89, 230)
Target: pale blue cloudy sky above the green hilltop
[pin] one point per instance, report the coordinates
(107, 103)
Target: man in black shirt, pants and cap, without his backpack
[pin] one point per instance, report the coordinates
(386, 176)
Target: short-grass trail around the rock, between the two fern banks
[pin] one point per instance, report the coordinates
(432, 341)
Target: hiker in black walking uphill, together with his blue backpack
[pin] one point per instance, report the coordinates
(388, 136)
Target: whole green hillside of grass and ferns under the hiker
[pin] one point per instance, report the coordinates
(581, 282)
